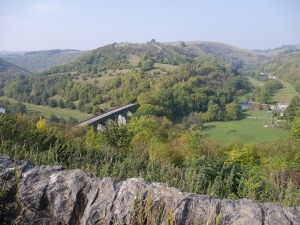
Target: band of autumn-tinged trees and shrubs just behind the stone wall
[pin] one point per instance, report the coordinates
(159, 151)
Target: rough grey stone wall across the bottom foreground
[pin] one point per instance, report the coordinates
(51, 195)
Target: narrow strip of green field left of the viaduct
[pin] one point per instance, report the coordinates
(48, 111)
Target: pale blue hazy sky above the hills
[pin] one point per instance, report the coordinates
(88, 24)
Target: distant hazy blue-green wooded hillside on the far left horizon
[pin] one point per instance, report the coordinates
(36, 61)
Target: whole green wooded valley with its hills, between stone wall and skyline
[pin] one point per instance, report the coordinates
(188, 127)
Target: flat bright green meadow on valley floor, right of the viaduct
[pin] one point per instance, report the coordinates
(249, 129)
